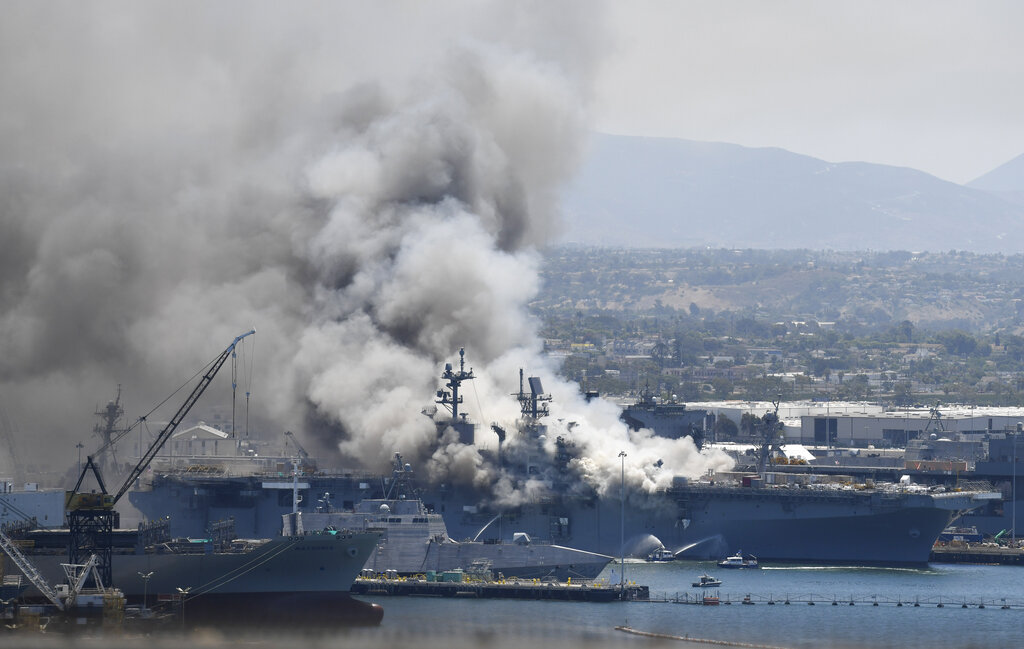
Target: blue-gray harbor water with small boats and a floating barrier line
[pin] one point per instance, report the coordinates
(798, 626)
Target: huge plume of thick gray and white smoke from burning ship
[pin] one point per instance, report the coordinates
(365, 187)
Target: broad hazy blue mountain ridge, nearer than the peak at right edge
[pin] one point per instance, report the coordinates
(639, 192)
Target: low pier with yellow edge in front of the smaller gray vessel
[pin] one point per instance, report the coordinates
(509, 589)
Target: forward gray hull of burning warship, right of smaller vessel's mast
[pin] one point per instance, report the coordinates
(780, 525)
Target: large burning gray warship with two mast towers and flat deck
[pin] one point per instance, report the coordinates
(709, 518)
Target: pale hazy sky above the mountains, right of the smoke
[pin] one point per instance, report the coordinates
(934, 85)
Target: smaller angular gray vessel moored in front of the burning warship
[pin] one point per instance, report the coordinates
(415, 541)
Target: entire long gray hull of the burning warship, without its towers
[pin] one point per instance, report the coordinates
(781, 525)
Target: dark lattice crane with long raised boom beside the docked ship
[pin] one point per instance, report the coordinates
(91, 516)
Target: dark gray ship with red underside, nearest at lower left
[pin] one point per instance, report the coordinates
(301, 579)
